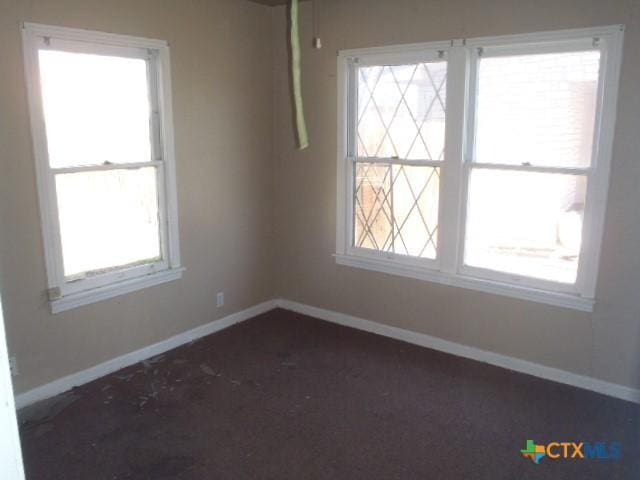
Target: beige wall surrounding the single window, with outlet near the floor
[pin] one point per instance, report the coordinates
(221, 72)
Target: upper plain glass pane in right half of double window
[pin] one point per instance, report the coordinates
(537, 109)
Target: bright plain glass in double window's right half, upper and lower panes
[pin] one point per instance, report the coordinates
(533, 111)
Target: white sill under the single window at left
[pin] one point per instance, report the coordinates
(87, 297)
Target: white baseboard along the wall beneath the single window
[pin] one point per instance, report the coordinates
(85, 376)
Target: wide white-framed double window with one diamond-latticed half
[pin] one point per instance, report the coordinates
(481, 163)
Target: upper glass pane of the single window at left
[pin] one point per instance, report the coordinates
(96, 108)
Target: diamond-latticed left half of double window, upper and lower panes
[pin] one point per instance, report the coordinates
(400, 130)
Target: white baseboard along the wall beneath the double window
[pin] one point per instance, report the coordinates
(510, 363)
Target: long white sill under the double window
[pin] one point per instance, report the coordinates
(472, 283)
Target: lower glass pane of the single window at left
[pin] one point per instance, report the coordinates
(108, 219)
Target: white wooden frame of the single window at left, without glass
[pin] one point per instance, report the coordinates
(65, 294)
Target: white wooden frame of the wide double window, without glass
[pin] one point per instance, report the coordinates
(462, 60)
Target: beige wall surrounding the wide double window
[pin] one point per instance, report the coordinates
(605, 344)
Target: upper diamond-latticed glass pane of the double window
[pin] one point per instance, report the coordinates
(401, 111)
